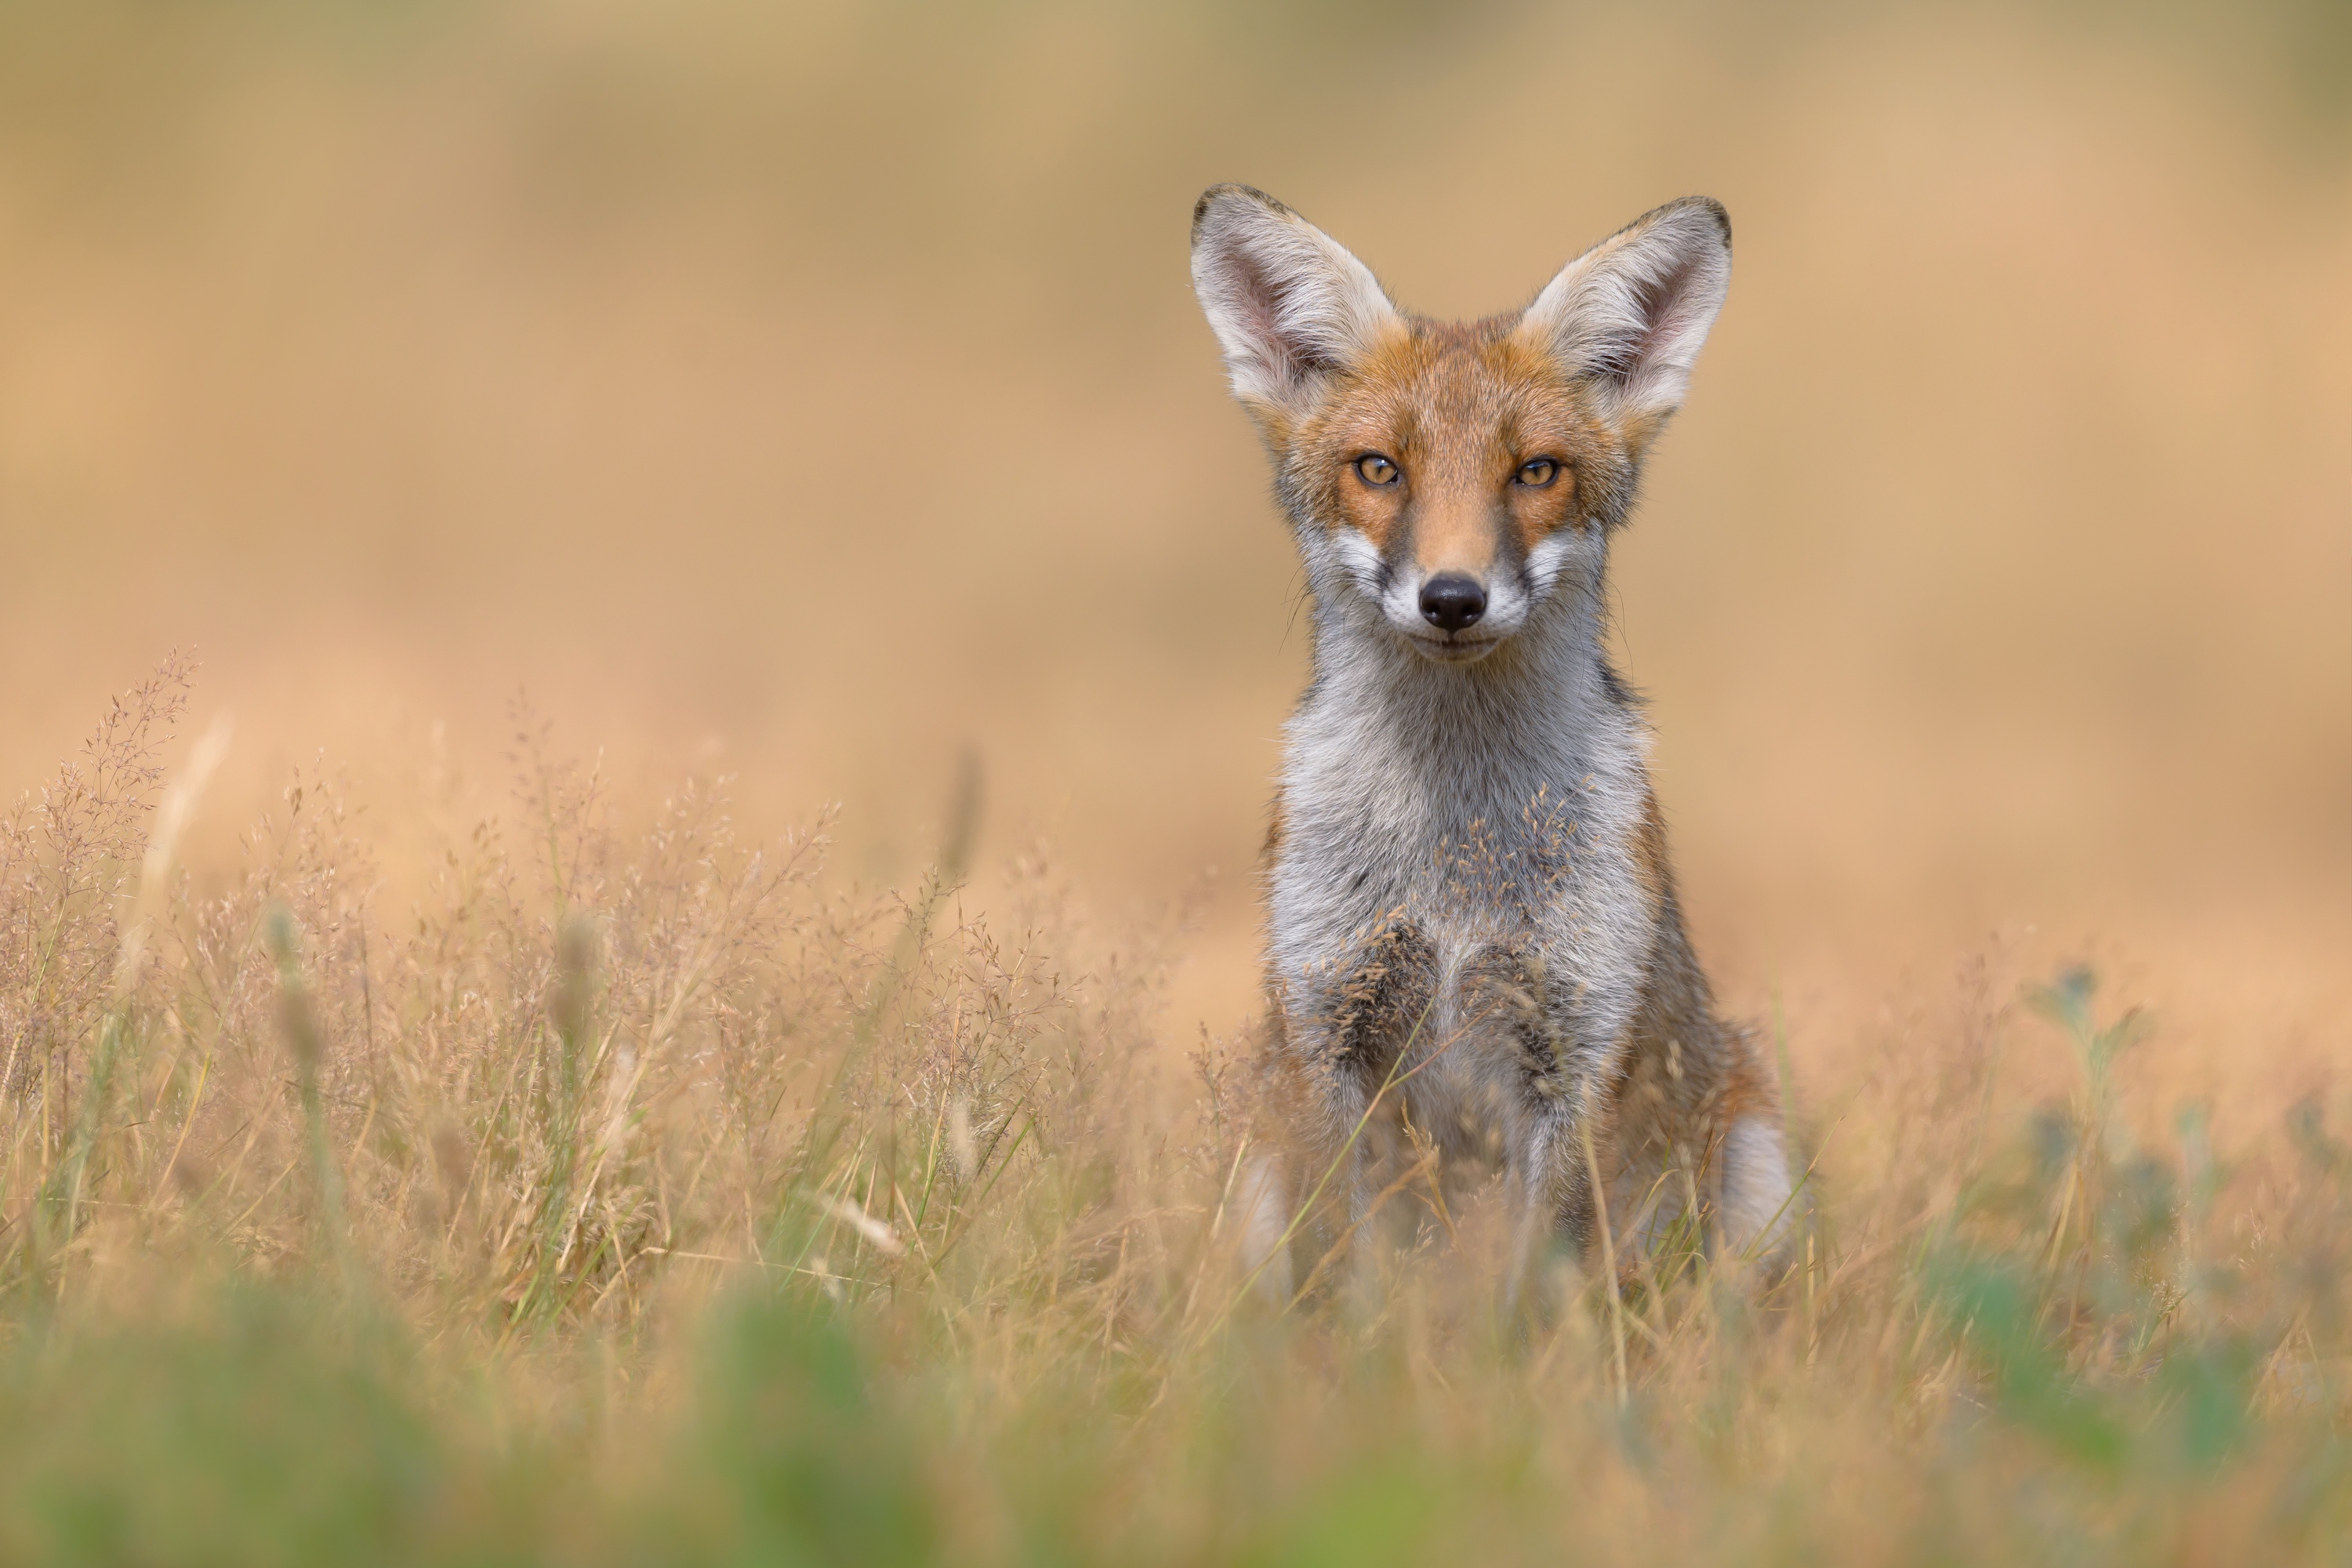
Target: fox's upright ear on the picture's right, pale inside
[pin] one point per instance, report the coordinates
(1633, 311)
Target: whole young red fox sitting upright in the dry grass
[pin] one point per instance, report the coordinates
(1474, 942)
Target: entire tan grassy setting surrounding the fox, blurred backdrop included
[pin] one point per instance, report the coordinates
(641, 676)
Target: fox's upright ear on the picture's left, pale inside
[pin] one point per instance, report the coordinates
(1288, 302)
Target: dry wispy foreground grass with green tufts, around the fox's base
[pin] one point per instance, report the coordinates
(646, 1198)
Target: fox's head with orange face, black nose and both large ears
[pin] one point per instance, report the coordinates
(1450, 481)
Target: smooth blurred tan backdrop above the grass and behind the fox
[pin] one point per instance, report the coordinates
(810, 391)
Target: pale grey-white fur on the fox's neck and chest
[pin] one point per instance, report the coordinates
(1483, 805)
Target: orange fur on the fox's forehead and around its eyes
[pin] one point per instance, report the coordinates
(1459, 406)
